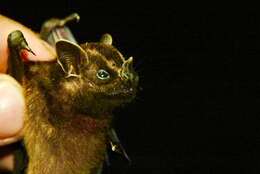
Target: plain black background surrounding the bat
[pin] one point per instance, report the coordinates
(197, 110)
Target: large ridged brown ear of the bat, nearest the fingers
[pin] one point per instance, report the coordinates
(70, 56)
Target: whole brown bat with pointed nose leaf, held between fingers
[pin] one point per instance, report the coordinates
(70, 101)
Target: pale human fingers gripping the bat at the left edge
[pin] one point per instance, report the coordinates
(11, 94)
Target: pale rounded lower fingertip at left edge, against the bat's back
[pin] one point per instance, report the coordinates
(11, 107)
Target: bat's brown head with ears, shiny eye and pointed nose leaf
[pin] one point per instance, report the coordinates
(94, 78)
